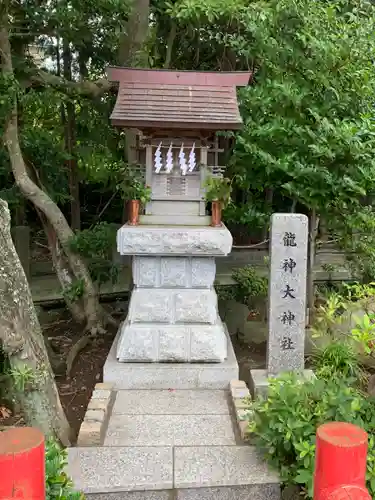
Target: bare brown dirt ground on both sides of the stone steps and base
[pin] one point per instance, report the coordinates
(75, 391)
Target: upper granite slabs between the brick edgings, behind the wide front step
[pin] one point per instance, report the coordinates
(170, 418)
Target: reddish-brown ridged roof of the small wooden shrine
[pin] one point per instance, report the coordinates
(177, 99)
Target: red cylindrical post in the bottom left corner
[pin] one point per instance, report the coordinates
(22, 469)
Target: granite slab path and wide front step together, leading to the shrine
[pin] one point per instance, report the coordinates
(168, 445)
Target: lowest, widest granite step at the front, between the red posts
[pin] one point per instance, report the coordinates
(163, 473)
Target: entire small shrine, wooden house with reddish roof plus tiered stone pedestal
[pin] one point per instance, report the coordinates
(173, 313)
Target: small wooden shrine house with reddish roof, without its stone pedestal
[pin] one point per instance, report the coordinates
(177, 115)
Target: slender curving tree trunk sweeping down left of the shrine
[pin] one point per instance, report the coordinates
(92, 310)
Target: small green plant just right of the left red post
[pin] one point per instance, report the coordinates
(58, 484)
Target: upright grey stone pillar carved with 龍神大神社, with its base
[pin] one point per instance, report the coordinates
(287, 301)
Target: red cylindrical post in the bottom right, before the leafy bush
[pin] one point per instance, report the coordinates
(341, 451)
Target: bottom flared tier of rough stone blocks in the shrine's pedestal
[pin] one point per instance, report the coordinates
(172, 343)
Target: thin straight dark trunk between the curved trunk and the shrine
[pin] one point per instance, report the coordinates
(69, 122)
